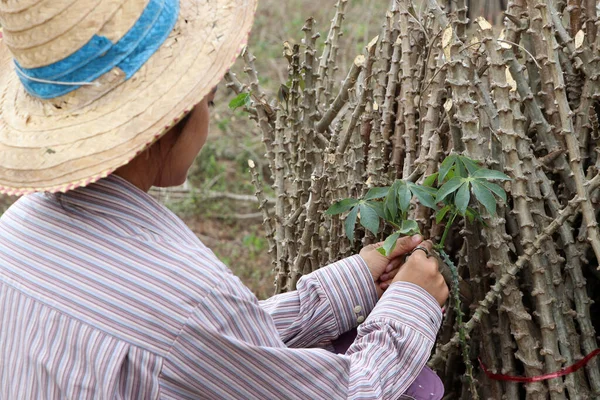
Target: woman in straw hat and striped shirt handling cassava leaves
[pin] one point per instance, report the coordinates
(106, 294)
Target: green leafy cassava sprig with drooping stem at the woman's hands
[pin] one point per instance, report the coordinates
(459, 177)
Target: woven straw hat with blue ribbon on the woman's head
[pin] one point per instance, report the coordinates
(105, 79)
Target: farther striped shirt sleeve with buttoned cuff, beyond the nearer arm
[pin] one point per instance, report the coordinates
(327, 303)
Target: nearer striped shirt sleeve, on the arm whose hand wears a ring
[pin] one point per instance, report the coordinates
(230, 348)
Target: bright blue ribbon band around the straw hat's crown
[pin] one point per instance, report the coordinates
(100, 55)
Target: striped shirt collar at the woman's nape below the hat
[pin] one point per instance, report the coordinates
(118, 198)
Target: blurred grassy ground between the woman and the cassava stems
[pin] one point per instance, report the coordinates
(233, 228)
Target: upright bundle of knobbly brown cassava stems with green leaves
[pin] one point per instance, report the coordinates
(442, 91)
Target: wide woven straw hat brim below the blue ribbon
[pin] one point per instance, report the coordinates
(81, 137)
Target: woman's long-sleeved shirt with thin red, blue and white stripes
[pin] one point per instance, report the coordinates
(105, 294)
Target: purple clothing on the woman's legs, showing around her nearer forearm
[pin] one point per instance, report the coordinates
(427, 386)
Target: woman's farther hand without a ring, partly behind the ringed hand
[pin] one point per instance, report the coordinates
(384, 269)
